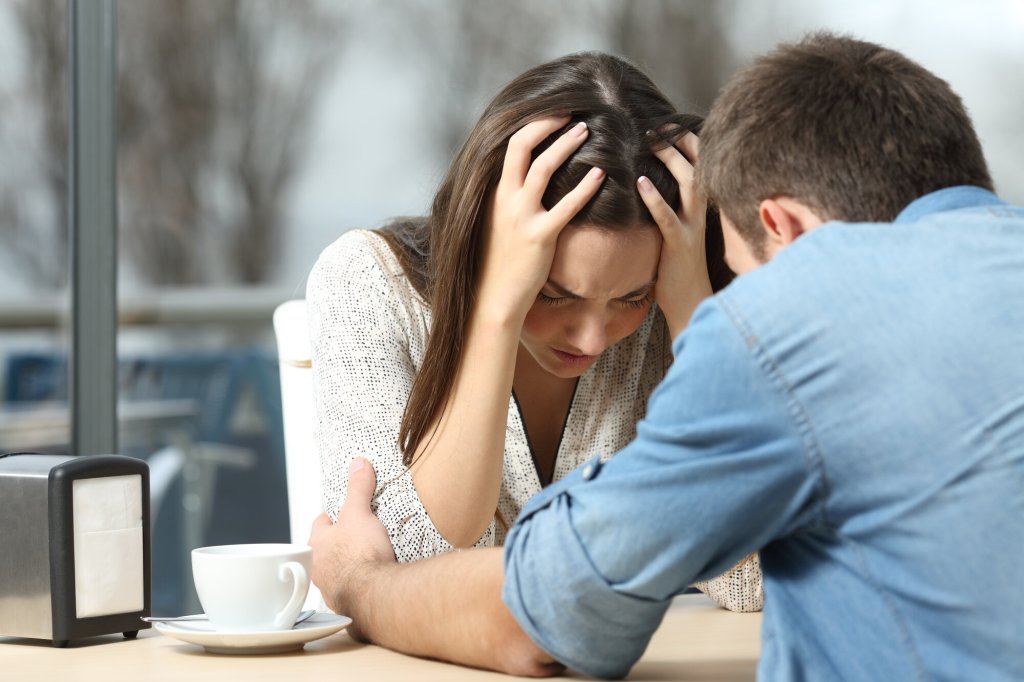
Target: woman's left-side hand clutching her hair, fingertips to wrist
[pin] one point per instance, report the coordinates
(521, 236)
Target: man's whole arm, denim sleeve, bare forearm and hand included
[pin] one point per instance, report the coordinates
(722, 464)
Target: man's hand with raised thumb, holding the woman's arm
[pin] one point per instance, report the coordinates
(346, 553)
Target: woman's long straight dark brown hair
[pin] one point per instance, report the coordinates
(442, 253)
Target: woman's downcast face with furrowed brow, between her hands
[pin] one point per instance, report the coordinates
(600, 290)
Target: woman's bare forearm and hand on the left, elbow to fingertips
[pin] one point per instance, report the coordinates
(459, 470)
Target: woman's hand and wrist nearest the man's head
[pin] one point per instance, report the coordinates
(682, 272)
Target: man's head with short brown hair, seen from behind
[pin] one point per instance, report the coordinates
(831, 129)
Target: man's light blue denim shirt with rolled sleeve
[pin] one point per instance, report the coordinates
(855, 410)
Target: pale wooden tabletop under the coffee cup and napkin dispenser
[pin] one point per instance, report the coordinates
(697, 643)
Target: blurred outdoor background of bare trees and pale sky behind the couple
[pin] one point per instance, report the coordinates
(252, 134)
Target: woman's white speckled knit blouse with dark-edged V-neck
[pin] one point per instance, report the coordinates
(369, 329)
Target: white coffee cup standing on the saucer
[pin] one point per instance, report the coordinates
(252, 588)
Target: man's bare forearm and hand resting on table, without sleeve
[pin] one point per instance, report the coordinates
(447, 608)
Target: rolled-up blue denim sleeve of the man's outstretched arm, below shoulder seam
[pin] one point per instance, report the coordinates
(720, 466)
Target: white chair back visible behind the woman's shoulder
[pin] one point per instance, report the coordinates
(302, 461)
